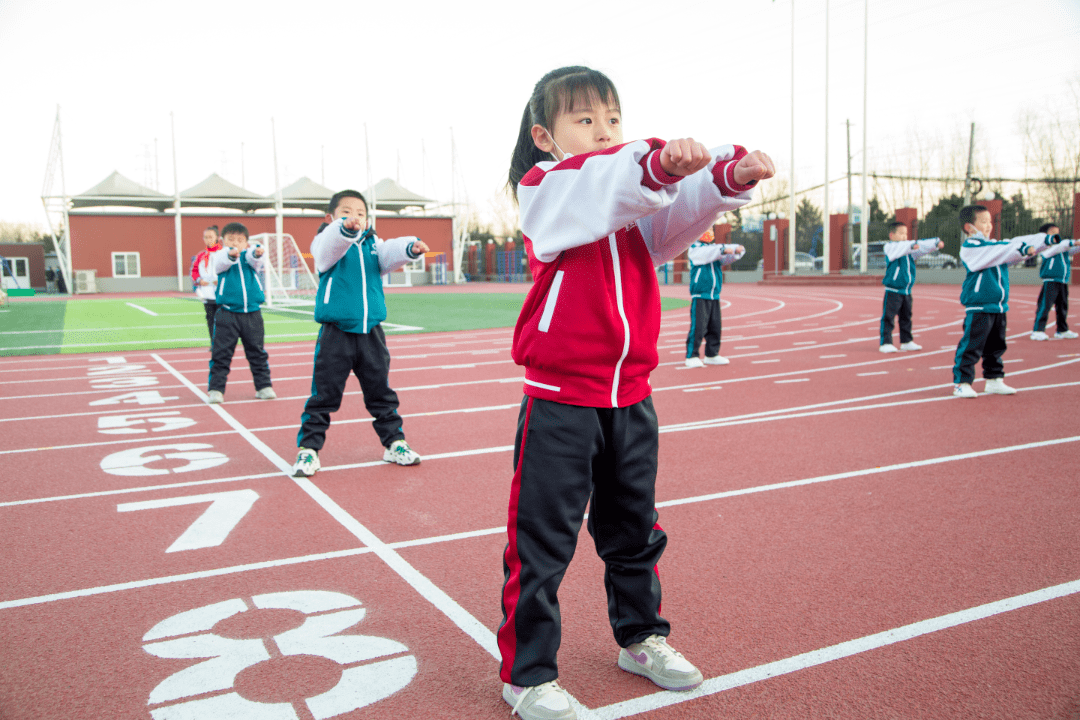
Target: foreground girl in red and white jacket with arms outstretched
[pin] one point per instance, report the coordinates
(598, 216)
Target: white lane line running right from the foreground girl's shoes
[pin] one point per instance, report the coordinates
(867, 644)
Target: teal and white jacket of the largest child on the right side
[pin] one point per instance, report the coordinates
(987, 287)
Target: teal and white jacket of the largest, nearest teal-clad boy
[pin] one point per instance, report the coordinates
(350, 268)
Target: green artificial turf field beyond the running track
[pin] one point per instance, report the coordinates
(112, 325)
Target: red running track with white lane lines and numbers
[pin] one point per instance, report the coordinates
(846, 539)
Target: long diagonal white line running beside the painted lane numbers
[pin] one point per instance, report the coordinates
(429, 591)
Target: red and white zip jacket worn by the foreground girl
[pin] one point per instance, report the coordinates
(596, 227)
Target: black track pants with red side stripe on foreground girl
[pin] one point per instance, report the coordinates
(565, 458)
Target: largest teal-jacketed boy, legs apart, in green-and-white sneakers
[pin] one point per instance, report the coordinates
(352, 307)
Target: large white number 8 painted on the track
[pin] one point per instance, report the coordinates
(251, 673)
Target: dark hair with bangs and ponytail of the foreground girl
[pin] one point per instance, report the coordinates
(557, 92)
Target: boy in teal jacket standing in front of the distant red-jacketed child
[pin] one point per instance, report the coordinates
(239, 295)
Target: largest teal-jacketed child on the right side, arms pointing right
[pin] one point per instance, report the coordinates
(985, 295)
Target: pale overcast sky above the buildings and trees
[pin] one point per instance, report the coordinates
(713, 70)
